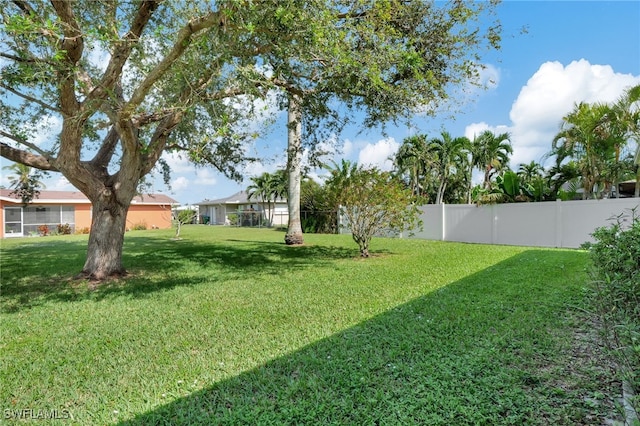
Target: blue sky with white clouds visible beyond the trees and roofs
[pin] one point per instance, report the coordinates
(571, 51)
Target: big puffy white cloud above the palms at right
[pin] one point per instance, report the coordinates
(550, 94)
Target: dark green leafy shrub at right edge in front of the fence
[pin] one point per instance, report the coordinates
(616, 283)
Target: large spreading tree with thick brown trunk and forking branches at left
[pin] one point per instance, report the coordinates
(126, 81)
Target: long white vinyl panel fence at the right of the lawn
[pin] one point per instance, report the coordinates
(546, 224)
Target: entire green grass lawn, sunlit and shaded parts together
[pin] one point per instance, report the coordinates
(230, 326)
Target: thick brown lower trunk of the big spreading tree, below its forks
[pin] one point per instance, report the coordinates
(104, 251)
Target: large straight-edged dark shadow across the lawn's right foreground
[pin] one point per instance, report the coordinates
(474, 352)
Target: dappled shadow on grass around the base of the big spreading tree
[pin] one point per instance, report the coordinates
(34, 274)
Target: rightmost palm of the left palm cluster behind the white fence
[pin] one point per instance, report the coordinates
(491, 154)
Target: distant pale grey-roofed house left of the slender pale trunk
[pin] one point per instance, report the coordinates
(239, 210)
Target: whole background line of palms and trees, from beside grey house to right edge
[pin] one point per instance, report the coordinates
(594, 150)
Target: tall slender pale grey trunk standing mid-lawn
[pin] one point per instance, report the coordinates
(294, 169)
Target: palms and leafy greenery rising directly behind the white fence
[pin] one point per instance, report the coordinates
(594, 150)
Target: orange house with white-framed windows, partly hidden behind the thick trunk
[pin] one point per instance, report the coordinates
(53, 208)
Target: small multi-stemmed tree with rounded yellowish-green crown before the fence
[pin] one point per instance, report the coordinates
(375, 203)
